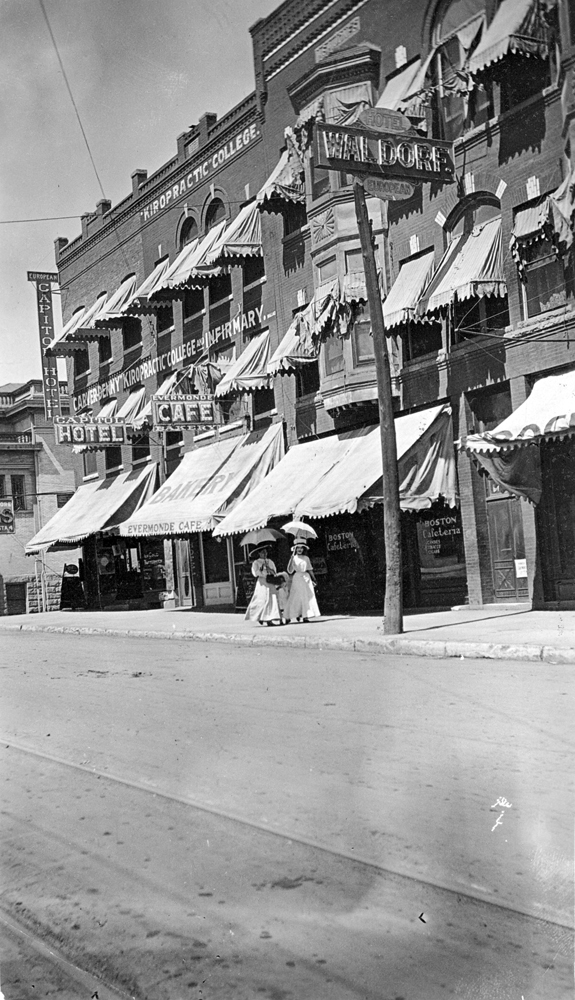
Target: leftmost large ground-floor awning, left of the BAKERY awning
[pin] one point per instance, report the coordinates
(94, 507)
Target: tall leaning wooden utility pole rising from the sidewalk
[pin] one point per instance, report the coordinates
(393, 604)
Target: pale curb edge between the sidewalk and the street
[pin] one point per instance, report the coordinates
(431, 648)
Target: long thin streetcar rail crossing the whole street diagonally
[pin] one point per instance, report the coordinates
(282, 834)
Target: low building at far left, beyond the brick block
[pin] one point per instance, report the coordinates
(37, 479)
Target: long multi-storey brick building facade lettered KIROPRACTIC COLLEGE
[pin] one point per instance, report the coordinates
(494, 79)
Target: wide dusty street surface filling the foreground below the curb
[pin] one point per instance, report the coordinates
(201, 819)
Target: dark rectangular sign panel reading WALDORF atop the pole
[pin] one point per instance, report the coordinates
(388, 155)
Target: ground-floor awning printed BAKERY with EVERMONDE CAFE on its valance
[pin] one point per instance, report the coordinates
(208, 482)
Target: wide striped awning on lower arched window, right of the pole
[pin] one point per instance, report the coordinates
(471, 266)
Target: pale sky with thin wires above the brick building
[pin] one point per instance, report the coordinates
(141, 72)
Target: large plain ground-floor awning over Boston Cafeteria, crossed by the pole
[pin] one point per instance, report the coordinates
(342, 473)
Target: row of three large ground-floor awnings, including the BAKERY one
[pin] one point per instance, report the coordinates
(236, 483)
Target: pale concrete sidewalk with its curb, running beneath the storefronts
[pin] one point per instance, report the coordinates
(492, 633)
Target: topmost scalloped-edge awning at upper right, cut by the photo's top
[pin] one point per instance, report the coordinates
(518, 26)
